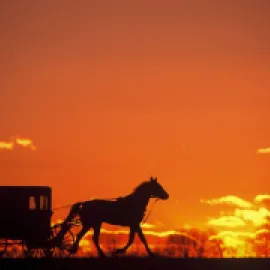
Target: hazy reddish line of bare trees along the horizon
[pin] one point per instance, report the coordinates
(186, 244)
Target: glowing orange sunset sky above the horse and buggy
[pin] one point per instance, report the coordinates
(112, 92)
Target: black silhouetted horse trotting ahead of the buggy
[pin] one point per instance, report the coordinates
(126, 211)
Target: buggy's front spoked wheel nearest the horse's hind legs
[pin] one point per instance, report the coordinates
(63, 249)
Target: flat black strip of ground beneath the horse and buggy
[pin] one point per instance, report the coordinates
(133, 263)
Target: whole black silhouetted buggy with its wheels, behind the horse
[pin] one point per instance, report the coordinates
(26, 221)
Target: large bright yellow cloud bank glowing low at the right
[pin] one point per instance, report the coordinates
(254, 215)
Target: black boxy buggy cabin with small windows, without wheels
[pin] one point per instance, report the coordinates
(25, 213)
